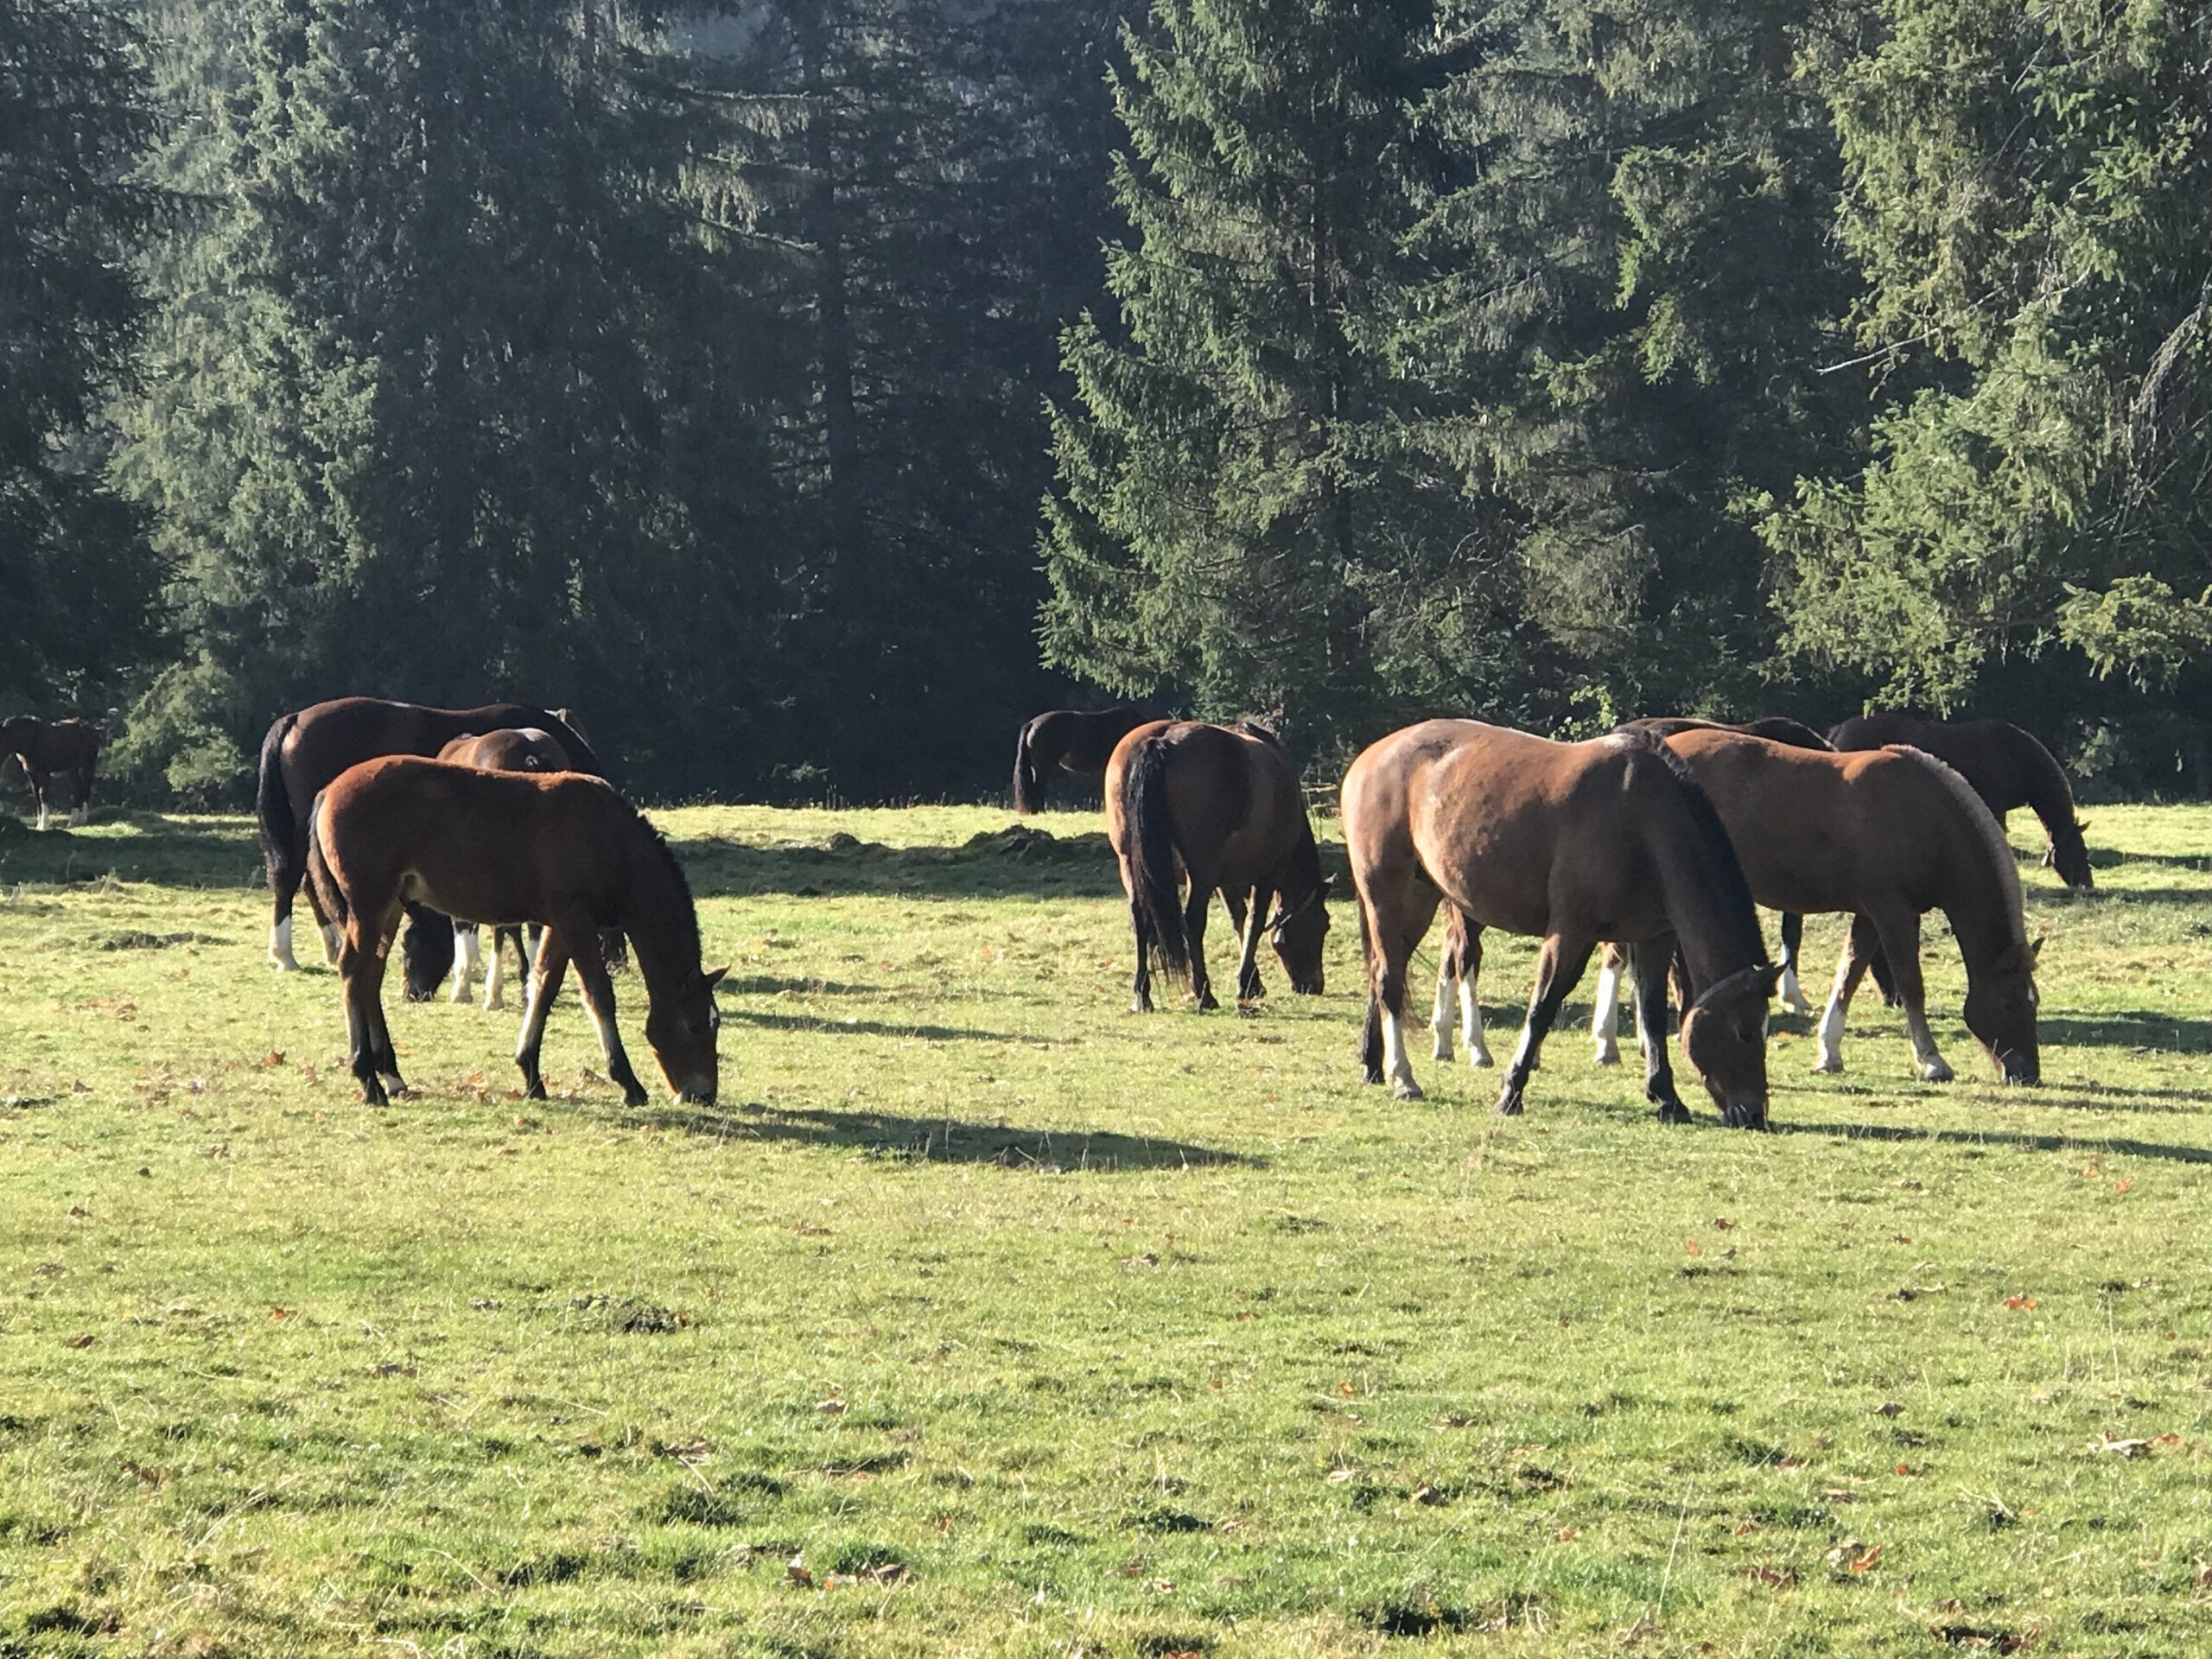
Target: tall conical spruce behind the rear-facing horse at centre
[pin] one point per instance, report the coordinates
(1240, 512)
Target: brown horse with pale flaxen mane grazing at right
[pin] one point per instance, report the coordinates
(1884, 835)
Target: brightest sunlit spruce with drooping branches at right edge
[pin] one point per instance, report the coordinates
(2027, 202)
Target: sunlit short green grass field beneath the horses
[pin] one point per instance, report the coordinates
(985, 1317)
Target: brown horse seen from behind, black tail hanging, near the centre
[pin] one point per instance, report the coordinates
(1222, 806)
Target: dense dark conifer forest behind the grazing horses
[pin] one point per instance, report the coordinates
(808, 390)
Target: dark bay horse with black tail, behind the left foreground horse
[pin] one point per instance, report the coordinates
(309, 749)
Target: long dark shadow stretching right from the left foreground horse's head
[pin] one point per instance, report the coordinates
(941, 1140)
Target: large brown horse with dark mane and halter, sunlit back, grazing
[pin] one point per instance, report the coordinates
(1574, 844)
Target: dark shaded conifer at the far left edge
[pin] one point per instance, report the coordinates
(76, 572)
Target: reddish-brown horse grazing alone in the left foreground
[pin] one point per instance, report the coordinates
(508, 848)
